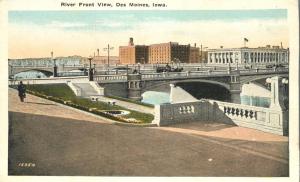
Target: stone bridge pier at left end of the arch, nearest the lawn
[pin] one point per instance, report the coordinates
(134, 86)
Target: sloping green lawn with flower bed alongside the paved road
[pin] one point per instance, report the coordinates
(63, 93)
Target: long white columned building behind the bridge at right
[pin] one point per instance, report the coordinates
(247, 55)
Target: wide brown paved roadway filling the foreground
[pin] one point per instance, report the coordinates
(48, 139)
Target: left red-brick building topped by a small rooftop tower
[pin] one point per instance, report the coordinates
(132, 54)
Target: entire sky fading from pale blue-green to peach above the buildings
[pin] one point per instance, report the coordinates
(35, 33)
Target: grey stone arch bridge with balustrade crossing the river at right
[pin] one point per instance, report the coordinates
(229, 81)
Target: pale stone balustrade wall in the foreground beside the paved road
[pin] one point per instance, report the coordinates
(264, 119)
